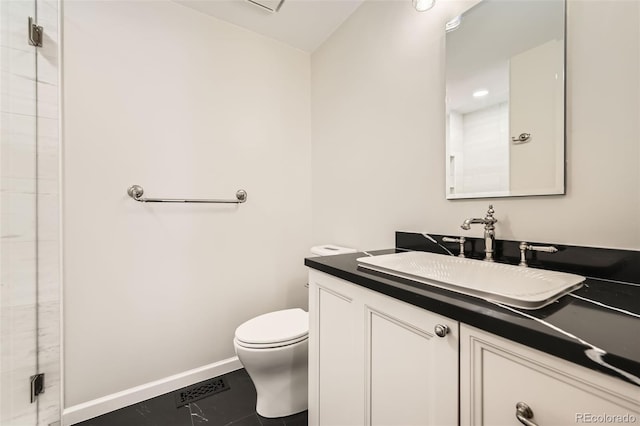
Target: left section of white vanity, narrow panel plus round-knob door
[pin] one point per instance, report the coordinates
(374, 360)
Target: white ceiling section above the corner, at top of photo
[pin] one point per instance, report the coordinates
(303, 24)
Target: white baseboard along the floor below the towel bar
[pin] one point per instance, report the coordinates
(97, 407)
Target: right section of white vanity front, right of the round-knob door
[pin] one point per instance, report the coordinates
(496, 374)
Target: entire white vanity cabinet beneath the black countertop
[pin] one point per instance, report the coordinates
(374, 360)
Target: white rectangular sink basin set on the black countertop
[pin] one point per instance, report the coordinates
(525, 288)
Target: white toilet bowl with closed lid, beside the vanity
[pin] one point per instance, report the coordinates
(273, 348)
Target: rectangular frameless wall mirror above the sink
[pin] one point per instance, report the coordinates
(505, 100)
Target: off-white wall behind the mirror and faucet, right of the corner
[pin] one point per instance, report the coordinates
(378, 130)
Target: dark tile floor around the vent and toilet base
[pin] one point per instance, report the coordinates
(236, 406)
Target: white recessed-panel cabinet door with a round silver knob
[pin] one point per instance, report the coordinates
(412, 374)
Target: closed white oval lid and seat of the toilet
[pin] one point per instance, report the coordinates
(275, 327)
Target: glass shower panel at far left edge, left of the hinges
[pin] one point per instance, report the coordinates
(18, 207)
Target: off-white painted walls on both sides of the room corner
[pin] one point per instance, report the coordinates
(186, 105)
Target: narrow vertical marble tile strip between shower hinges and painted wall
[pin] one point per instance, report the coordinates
(48, 151)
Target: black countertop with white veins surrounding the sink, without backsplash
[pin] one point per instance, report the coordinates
(596, 326)
